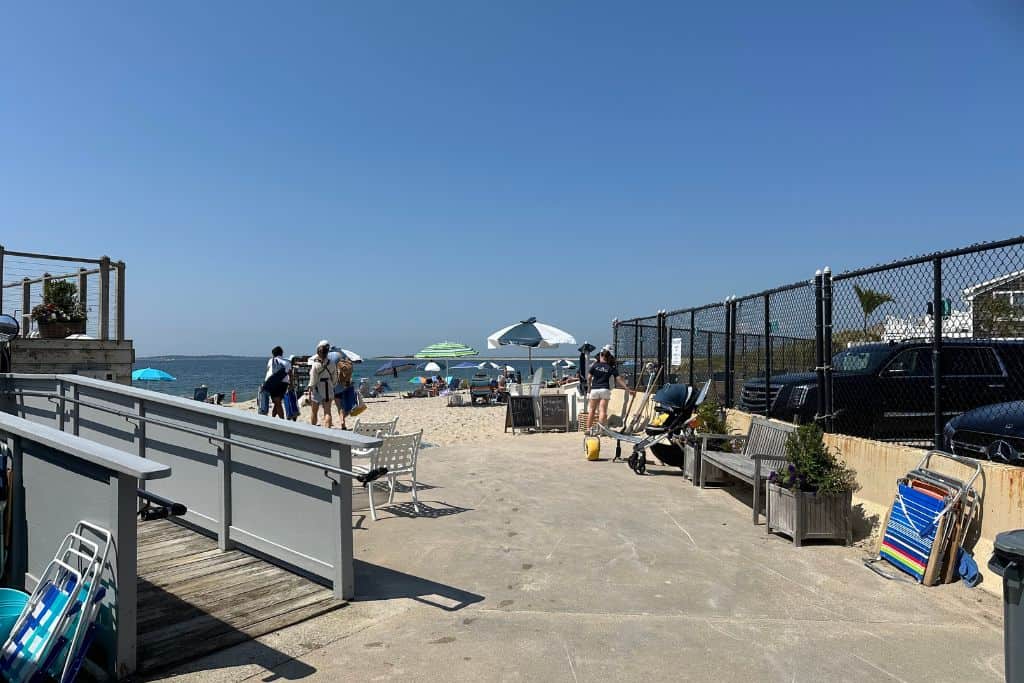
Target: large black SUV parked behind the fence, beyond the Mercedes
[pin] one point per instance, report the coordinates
(885, 391)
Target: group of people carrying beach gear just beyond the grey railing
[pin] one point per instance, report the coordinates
(330, 387)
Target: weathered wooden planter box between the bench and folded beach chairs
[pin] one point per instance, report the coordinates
(801, 516)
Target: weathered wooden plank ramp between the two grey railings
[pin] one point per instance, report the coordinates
(195, 600)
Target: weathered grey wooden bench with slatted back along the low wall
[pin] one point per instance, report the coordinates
(764, 451)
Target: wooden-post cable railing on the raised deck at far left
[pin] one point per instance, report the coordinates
(99, 286)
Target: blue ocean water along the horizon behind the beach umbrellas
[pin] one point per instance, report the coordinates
(246, 375)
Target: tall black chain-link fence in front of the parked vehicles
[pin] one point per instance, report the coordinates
(893, 352)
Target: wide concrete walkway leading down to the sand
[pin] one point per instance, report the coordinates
(531, 564)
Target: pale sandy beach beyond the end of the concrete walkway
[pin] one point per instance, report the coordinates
(442, 425)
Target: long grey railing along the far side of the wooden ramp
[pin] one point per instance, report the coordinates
(232, 469)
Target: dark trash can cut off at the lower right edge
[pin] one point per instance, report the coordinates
(1008, 562)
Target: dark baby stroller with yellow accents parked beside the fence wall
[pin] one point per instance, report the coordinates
(674, 406)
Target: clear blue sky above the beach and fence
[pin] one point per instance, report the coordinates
(390, 175)
